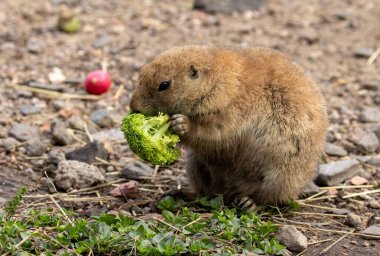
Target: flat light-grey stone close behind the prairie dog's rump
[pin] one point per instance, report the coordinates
(333, 173)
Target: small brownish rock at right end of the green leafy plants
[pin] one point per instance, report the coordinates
(292, 238)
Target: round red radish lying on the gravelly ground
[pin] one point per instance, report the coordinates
(97, 82)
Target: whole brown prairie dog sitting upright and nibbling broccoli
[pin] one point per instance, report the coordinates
(252, 122)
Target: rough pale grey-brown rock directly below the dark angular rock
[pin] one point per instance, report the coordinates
(77, 175)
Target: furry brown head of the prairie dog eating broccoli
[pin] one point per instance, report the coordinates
(184, 80)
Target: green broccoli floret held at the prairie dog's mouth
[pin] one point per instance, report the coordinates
(149, 138)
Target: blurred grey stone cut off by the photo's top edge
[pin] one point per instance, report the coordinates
(227, 6)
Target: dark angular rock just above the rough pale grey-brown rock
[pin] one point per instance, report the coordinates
(88, 153)
